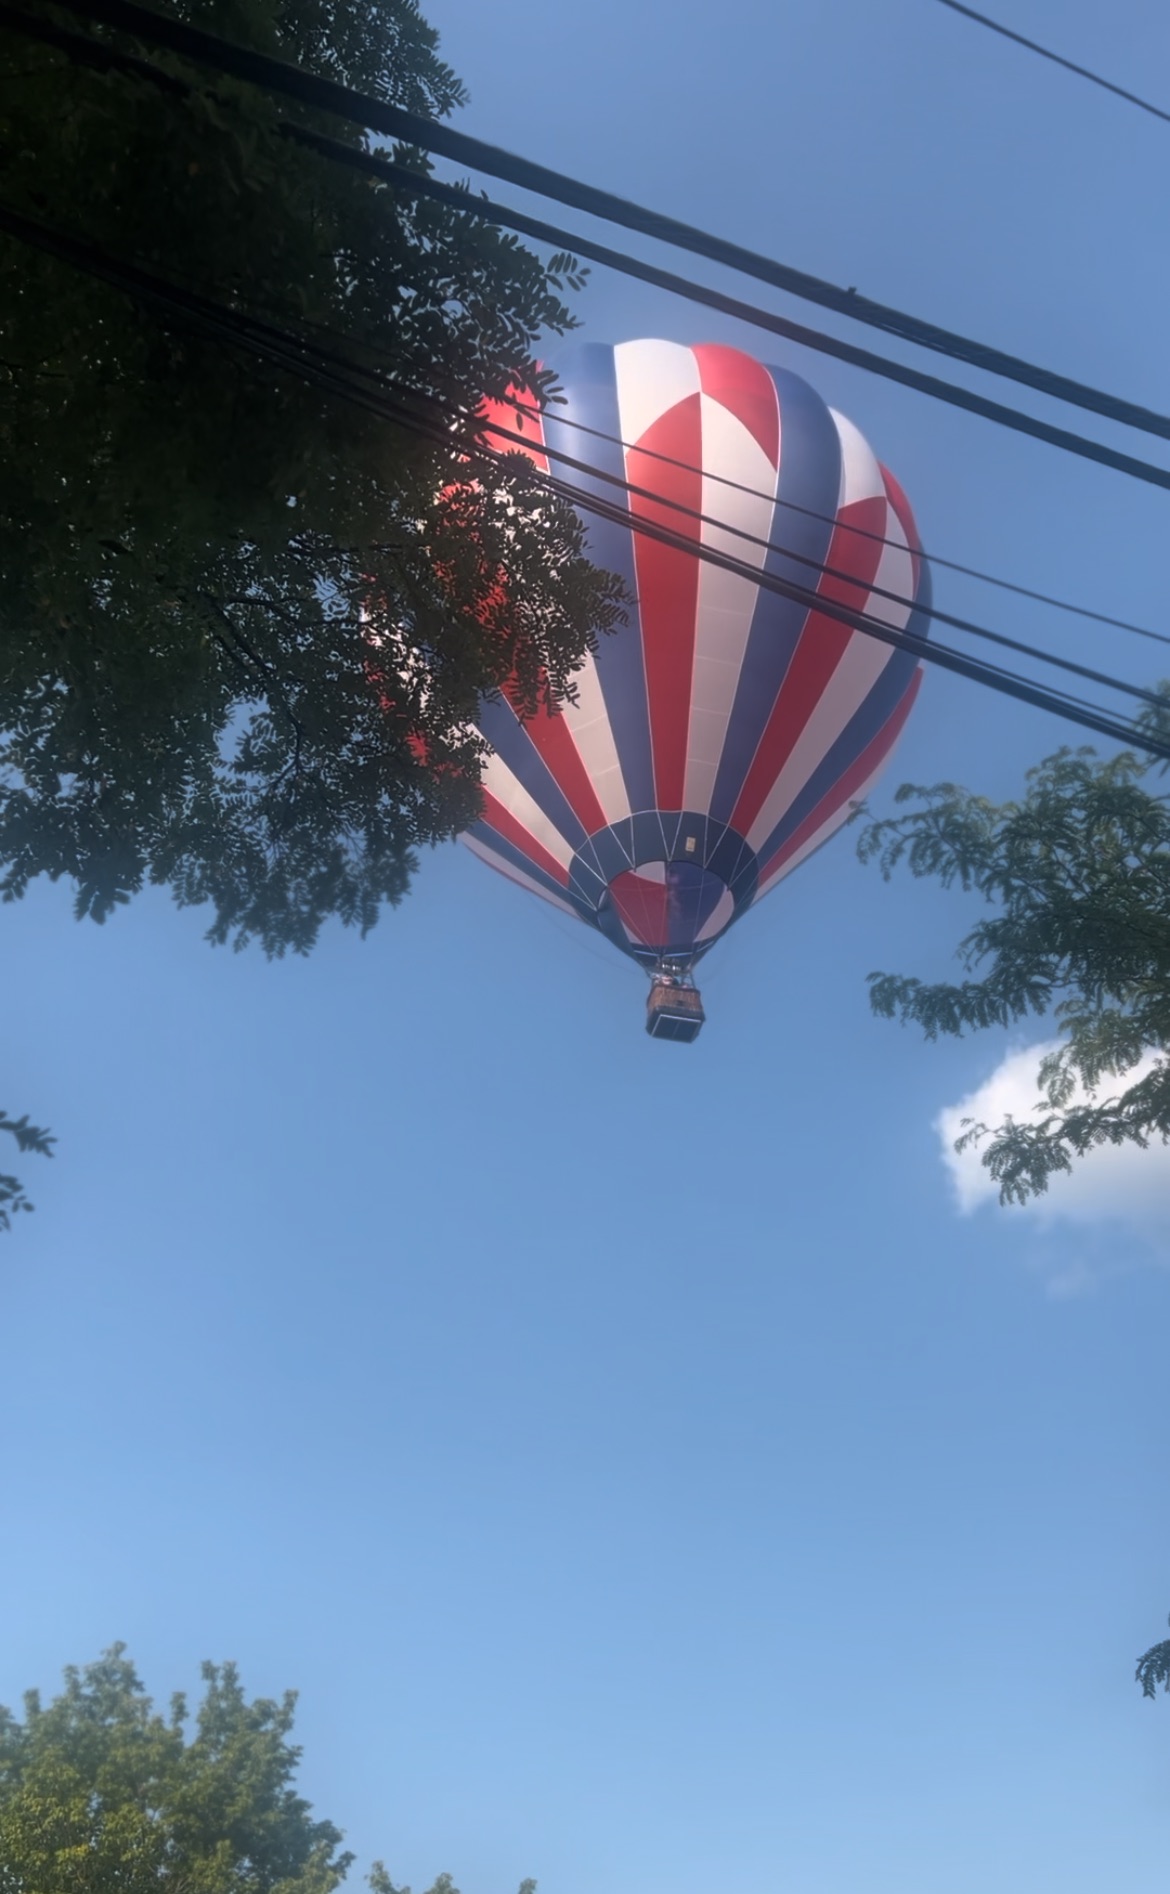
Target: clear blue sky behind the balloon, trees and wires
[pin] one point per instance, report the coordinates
(658, 1469)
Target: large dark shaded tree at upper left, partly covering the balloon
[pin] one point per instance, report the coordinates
(200, 550)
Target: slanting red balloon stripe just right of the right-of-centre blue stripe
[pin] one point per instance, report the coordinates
(819, 652)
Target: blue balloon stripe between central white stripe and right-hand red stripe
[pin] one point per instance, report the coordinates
(809, 478)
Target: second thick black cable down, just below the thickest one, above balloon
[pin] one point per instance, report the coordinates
(537, 228)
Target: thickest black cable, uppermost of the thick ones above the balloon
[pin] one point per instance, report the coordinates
(416, 130)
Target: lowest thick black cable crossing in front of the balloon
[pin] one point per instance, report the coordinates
(338, 378)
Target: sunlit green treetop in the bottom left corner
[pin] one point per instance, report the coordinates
(101, 1793)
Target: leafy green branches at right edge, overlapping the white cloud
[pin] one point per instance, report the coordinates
(1078, 874)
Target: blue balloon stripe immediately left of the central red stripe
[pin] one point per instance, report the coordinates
(590, 384)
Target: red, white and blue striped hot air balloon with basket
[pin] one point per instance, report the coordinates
(726, 732)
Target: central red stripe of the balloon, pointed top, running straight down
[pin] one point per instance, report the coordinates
(669, 584)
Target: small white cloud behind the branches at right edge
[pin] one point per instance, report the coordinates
(1114, 1185)
